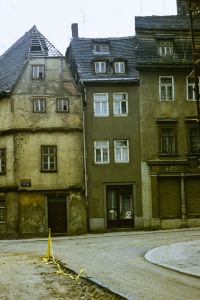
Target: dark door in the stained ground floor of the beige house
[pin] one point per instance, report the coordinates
(57, 214)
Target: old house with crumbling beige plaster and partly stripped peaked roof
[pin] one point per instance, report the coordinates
(41, 149)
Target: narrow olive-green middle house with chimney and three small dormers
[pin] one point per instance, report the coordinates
(104, 70)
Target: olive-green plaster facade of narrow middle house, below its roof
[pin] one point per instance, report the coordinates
(102, 176)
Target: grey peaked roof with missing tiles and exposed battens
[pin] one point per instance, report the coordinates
(12, 62)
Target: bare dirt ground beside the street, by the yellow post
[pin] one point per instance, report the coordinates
(25, 277)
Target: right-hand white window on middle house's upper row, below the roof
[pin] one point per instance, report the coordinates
(120, 104)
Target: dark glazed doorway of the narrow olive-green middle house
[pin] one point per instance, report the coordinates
(120, 206)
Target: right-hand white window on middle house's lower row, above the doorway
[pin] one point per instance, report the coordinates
(121, 150)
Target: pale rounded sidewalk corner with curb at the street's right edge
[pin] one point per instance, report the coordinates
(183, 257)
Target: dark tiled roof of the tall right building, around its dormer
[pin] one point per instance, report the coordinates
(149, 30)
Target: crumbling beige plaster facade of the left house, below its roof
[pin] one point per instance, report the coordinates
(27, 191)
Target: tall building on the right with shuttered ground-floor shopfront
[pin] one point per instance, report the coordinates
(169, 125)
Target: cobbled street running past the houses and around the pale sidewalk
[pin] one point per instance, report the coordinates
(117, 260)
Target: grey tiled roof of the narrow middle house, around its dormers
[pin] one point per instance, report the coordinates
(80, 56)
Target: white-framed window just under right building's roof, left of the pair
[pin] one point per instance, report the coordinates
(166, 88)
